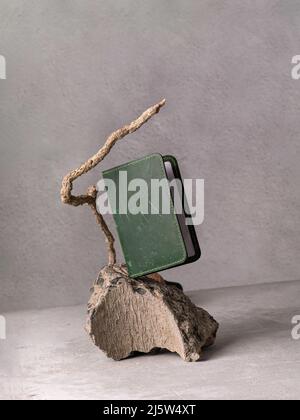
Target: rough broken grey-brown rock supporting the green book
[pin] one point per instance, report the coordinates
(128, 315)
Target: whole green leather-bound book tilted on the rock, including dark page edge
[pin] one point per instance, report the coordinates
(153, 236)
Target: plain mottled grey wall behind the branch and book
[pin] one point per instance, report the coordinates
(77, 70)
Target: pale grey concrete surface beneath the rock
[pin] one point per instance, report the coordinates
(47, 354)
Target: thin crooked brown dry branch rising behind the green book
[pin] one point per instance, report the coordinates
(90, 196)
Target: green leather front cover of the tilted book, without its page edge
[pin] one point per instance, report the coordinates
(150, 242)
